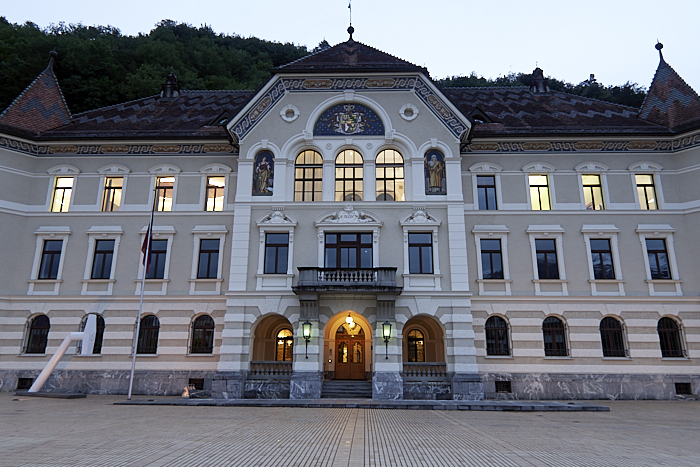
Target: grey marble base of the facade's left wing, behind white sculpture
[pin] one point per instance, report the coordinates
(146, 383)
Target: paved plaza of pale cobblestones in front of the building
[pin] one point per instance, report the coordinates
(94, 432)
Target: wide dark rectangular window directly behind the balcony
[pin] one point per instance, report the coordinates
(348, 251)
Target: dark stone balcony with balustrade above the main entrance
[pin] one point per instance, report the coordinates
(347, 280)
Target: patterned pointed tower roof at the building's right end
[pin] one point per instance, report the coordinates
(670, 101)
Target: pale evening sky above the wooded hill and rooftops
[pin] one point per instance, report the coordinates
(569, 40)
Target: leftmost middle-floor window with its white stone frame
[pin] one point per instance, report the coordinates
(49, 257)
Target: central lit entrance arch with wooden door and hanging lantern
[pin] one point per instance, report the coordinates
(348, 346)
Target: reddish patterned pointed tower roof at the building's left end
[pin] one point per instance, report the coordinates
(41, 106)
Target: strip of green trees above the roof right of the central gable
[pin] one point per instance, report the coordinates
(629, 94)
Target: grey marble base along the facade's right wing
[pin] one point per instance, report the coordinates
(547, 386)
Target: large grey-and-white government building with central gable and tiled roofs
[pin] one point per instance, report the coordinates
(353, 230)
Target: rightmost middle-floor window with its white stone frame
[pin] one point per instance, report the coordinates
(660, 259)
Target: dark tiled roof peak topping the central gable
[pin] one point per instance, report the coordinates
(349, 56)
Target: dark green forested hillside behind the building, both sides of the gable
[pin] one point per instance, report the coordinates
(98, 66)
